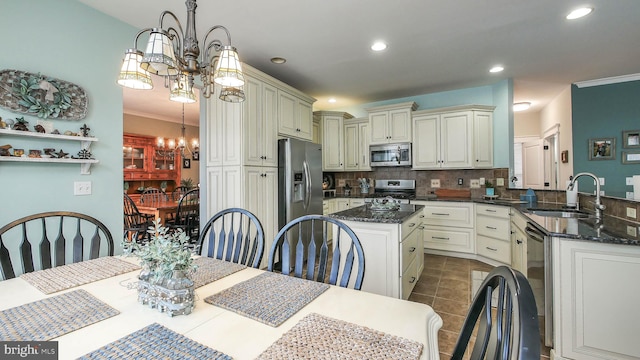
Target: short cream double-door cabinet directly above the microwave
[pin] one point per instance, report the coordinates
(391, 123)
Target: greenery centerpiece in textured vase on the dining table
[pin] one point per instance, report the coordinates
(167, 264)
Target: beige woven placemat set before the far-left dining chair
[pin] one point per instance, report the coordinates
(68, 276)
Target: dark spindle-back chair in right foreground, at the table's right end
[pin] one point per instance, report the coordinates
(508, 327)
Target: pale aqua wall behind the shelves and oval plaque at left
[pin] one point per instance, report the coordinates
(70, 41)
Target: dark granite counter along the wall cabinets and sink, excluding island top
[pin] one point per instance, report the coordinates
(609, 230)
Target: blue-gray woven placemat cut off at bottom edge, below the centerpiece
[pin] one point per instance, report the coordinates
(155, 342)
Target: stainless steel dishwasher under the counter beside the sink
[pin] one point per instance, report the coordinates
(539, 273)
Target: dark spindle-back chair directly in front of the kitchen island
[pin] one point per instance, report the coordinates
(300, 239)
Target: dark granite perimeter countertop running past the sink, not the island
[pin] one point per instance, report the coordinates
(606, 236)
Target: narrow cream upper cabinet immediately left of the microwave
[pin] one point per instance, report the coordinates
(356, 145)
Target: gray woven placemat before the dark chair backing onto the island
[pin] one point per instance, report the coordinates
(269, 297)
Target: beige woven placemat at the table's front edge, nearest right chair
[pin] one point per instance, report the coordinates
(321, 337)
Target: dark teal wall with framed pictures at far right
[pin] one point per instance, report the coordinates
(605, 111)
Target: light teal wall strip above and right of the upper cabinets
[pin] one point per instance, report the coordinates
(499, 95)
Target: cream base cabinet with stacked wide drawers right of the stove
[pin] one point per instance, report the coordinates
(448, 226)
